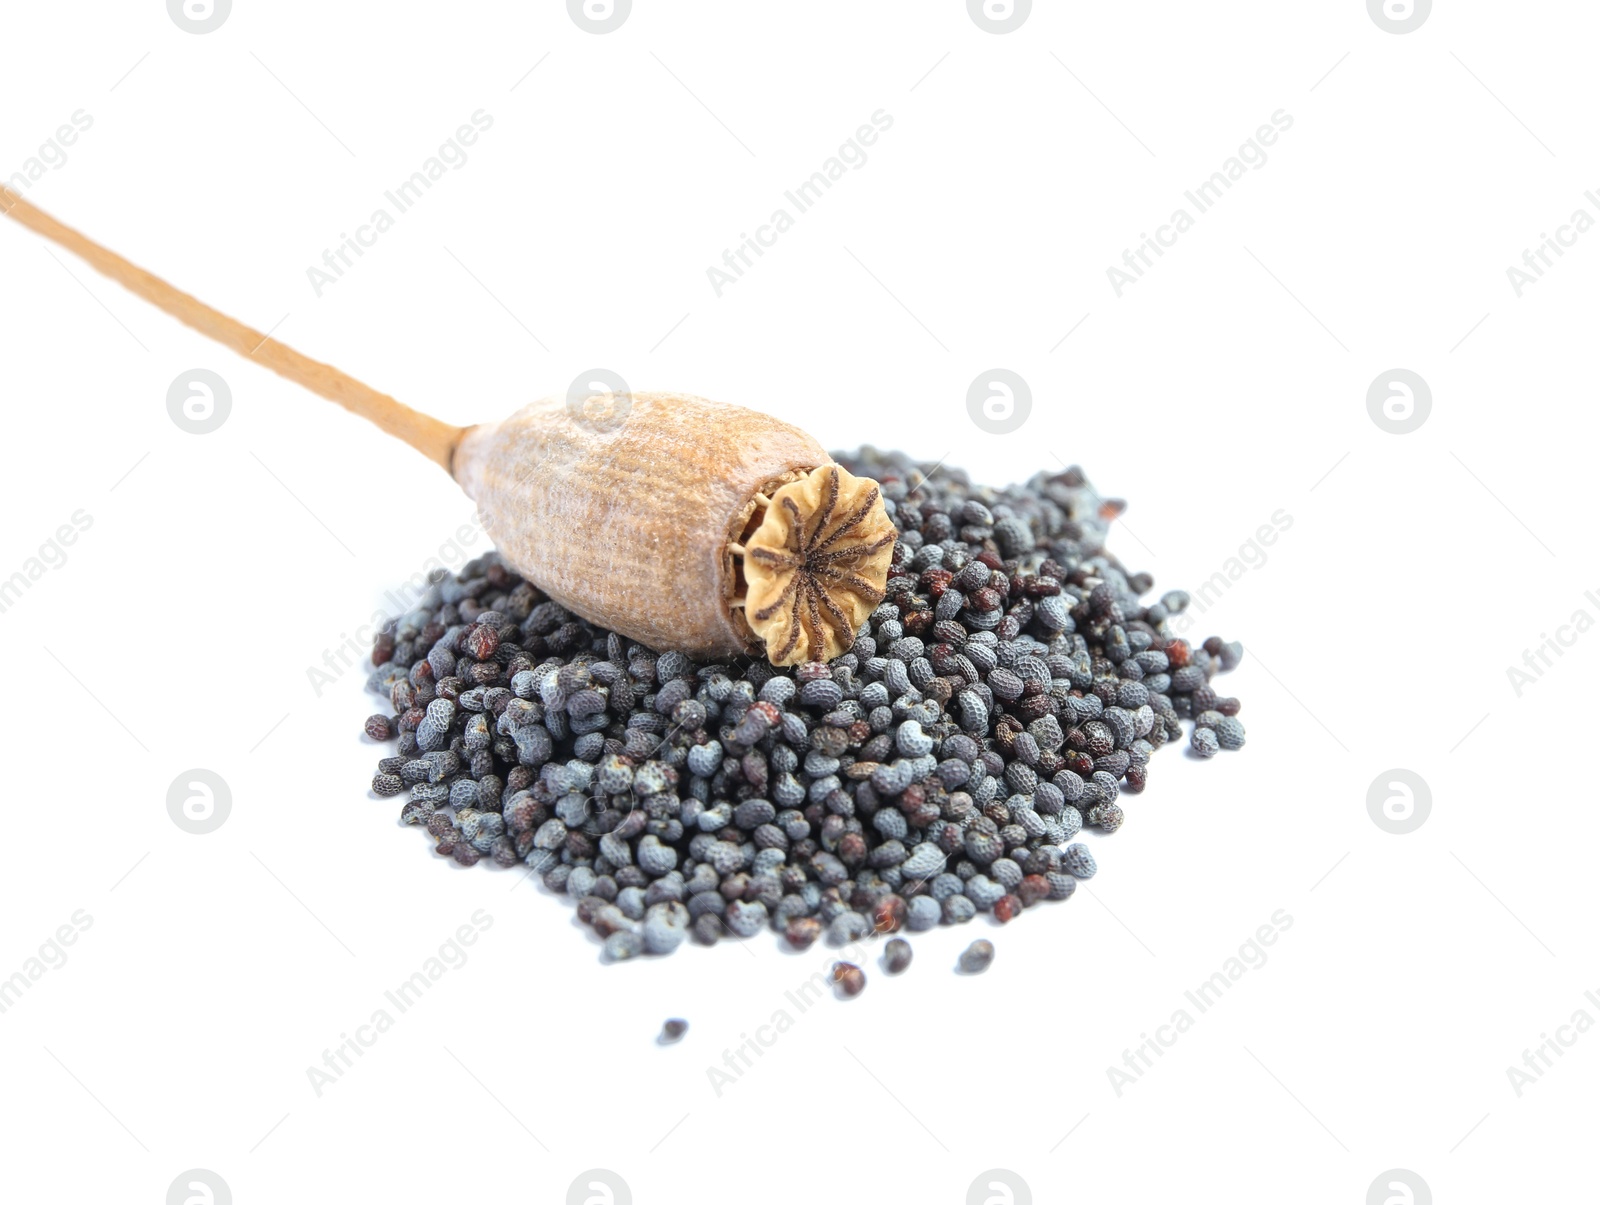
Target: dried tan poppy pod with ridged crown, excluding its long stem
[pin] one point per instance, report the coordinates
(642, 511)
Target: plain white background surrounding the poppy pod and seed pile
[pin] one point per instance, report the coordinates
(1228, 385)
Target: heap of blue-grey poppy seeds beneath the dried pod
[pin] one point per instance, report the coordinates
(1010, 691)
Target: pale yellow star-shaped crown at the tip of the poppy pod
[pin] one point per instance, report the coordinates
(815, 567)
